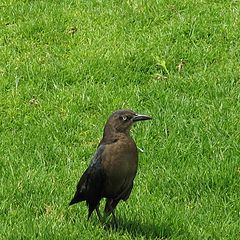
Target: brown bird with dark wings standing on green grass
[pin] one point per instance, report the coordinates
(112, 170)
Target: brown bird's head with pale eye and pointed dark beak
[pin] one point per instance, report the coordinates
(122, 120)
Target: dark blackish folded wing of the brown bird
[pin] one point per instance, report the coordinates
(90, 185)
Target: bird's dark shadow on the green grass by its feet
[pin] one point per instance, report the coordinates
(136, 229)
